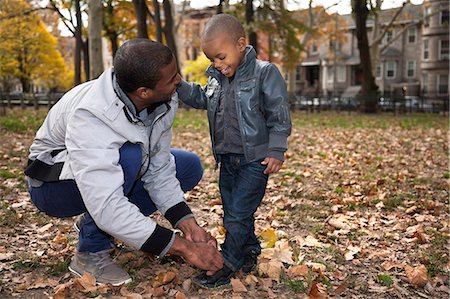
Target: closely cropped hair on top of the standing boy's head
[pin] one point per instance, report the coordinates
(223, 24)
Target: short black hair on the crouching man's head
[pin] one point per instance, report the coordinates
(138, 63)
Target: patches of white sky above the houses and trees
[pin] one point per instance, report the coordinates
(343, 6)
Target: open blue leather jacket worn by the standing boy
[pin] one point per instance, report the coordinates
(261, 104)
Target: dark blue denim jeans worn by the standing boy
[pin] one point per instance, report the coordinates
(242, 187)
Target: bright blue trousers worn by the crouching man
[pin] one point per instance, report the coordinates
(62, 199)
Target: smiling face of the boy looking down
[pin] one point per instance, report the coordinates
(225, 55)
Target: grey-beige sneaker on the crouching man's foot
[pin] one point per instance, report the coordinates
(101, 266)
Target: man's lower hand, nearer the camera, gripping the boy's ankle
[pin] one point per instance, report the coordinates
(201, 255)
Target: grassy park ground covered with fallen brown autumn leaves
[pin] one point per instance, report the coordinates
(359, 210)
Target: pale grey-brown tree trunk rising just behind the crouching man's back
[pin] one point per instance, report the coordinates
(95, 38)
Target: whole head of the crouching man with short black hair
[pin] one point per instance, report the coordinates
(146, 70)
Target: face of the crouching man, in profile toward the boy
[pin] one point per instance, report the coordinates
(167, 85)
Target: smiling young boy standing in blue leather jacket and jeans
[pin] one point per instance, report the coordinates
(249, 123)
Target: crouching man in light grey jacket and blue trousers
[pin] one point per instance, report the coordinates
(104, 150)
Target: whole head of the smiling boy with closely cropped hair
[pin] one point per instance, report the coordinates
(223, 42)
